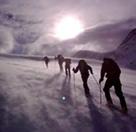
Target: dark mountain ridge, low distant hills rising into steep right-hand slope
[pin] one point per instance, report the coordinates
(124, 53)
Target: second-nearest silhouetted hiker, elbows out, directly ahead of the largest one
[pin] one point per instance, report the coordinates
(84, 69)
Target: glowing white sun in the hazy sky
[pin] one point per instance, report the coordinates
(68, 27)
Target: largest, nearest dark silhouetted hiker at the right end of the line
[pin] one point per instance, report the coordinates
(112, 71)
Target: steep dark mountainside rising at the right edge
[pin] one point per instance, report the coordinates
(126, 52)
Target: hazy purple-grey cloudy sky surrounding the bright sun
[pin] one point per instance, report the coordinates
(26, 26)
